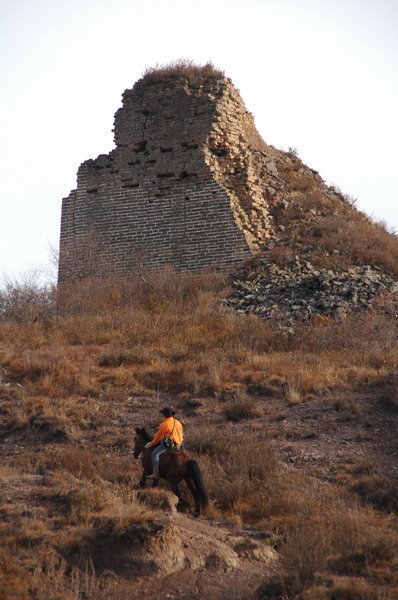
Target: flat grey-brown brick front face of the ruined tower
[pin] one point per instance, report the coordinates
(153, 200)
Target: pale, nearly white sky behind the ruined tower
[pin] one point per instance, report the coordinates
(320, 76)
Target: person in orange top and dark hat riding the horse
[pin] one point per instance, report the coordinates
(169, 429)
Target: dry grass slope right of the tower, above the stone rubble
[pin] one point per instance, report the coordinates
(329, 229)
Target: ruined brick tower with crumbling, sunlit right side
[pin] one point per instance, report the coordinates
(189, 183)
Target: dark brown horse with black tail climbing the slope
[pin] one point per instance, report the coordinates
(174, 466)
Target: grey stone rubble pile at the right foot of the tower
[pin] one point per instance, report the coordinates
(299, 291)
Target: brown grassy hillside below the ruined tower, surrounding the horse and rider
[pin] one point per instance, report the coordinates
(79, 369)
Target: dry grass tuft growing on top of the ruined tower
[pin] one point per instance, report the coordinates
(181, 68)
